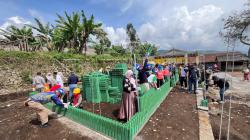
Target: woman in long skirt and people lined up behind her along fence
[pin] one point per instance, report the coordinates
(148, 76)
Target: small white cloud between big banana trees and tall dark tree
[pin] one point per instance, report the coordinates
(117, 36)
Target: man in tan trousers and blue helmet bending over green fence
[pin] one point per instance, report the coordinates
(36, 101)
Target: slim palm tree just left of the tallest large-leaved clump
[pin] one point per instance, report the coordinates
(44, 35)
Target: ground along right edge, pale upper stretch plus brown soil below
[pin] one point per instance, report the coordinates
(240, 113)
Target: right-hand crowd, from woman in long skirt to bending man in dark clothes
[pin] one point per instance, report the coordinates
(154, 77)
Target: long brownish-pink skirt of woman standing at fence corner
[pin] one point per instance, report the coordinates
(128, 106)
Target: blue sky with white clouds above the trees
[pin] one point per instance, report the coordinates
(181, 24)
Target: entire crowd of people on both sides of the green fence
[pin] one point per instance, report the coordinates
(52, 88)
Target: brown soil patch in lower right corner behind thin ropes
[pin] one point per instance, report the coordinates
(240, 122)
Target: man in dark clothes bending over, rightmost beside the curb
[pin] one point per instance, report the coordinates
(223, 86)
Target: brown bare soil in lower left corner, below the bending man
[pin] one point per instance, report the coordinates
(19, 123)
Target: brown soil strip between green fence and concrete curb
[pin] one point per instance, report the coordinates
(175, 119)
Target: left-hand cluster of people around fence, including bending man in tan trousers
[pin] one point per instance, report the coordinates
(54, 90)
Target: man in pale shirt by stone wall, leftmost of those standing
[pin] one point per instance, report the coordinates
(38, 82)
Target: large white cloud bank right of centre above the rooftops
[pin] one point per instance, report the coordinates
(183, 28)
